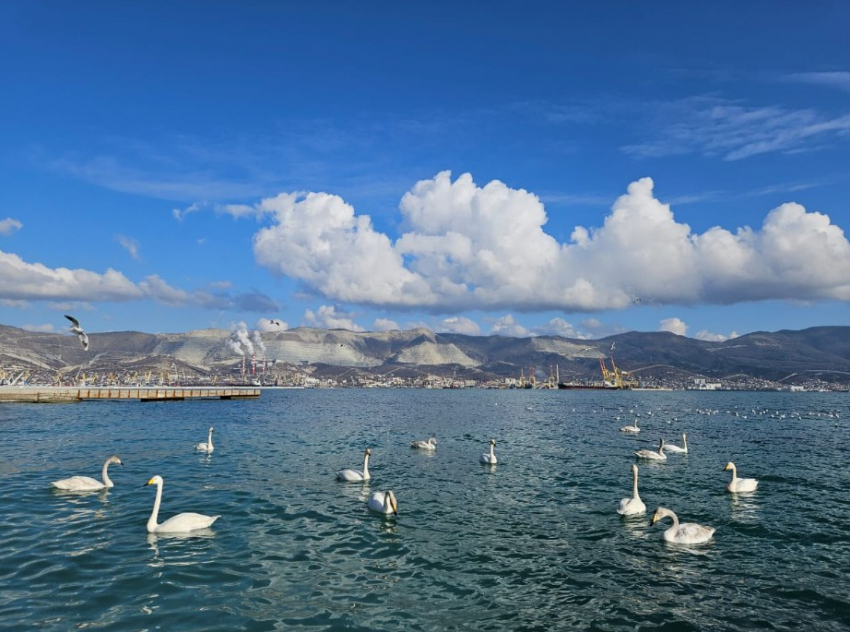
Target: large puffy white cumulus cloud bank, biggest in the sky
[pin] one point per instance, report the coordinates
(468, 247)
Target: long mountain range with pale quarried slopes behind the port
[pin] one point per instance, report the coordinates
(819, 353)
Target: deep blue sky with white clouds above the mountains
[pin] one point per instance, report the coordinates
(514, 168)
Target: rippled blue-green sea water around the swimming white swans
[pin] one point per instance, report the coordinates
(533, 543)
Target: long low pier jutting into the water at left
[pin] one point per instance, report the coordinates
(52, 394)
